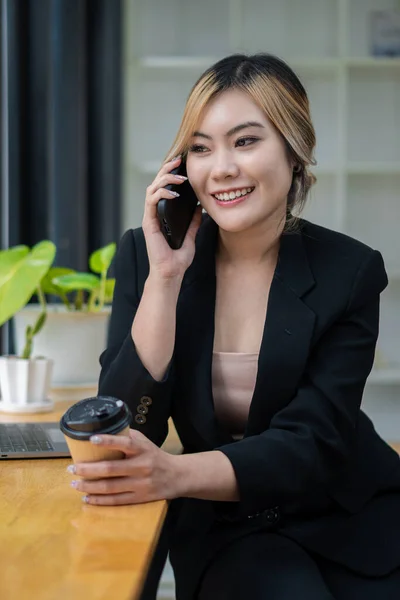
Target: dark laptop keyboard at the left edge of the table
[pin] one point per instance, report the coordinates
(23, 438)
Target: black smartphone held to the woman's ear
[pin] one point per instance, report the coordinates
(176, 214)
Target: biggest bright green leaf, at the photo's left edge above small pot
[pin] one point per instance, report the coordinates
(20, 275)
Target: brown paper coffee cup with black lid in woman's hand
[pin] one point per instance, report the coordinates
(94, 416)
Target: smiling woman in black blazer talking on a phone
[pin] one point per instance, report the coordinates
(257, 337)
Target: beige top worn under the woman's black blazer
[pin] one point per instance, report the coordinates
(233, 381)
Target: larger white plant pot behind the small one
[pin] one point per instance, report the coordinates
(73, 340)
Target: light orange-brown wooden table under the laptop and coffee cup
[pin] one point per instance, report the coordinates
(53, 547)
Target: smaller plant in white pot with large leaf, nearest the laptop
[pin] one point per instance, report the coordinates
(24, 379)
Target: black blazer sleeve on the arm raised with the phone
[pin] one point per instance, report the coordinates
(122, 372)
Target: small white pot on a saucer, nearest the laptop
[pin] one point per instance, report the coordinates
(24, 383)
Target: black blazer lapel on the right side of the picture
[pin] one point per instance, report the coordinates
(287, 335)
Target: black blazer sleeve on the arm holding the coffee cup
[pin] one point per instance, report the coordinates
(309, 441)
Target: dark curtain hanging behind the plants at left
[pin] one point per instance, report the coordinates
(63, 89)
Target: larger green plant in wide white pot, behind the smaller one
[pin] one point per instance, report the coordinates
(76, 328)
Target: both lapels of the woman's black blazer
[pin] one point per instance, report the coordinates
(285, 343)
